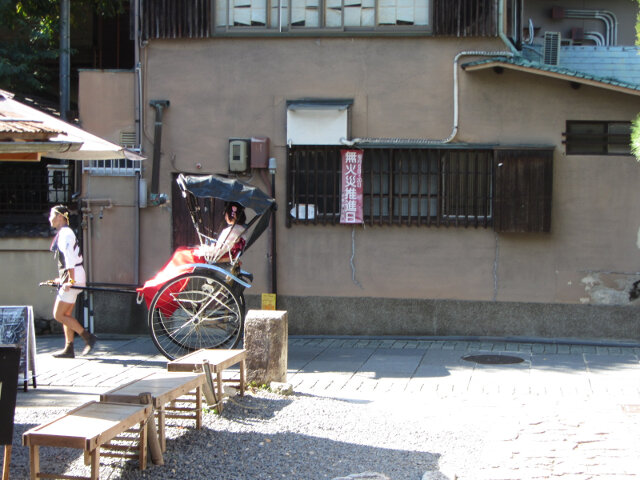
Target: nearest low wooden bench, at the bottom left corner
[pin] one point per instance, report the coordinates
(88, 427)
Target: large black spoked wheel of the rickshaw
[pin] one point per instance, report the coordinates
(195, 310)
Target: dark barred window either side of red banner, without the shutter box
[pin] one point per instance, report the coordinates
(401, 186)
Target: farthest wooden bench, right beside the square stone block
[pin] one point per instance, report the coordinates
(218, 360)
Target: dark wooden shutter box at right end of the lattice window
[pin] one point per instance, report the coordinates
(523, 183)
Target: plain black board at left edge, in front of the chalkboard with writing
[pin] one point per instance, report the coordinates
(9, 363)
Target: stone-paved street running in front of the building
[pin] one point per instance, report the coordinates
(564, 411)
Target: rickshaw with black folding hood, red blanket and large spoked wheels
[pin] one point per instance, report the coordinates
(196, 301)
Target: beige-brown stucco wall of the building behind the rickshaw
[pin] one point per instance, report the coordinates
(403, 88)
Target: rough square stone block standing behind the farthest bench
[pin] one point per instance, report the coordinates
(266, 334)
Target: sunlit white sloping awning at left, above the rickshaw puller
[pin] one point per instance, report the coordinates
(64, 141)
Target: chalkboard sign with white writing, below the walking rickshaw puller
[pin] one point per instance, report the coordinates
(16, 328)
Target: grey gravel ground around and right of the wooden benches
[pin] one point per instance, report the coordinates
(268, 436)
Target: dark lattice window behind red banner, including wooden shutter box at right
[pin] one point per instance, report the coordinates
(509, 189)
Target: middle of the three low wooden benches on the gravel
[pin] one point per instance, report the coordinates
(164, 388)
